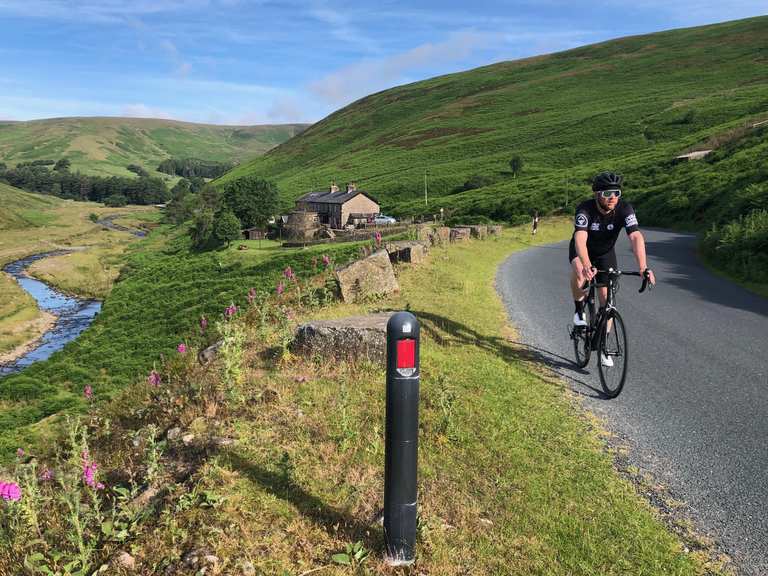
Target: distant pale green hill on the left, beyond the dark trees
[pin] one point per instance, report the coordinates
(105, 146)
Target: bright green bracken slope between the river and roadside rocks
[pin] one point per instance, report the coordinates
(163, 290)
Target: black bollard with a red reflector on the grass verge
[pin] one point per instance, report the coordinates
(402, 435)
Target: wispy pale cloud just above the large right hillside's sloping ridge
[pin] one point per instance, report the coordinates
(352, 82)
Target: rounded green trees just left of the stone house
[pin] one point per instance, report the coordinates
(218, 215)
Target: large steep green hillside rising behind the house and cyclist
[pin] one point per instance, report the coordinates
(631, 105)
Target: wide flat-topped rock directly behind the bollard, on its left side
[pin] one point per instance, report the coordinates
(352, 339)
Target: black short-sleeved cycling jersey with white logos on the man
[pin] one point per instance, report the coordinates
(602, 229)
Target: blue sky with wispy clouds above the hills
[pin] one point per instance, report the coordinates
(258, 62)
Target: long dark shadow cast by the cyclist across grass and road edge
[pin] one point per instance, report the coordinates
(446, 331)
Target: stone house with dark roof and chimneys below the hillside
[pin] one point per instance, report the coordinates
(336, 208)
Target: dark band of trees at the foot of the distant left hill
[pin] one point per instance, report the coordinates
(113, 190)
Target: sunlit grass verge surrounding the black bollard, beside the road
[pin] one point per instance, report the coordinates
(513, 479)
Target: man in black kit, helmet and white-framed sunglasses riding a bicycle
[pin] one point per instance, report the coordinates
(597, 226)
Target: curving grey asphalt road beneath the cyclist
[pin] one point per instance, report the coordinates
(694, 409)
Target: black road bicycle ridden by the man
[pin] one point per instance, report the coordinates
(605, 332)
